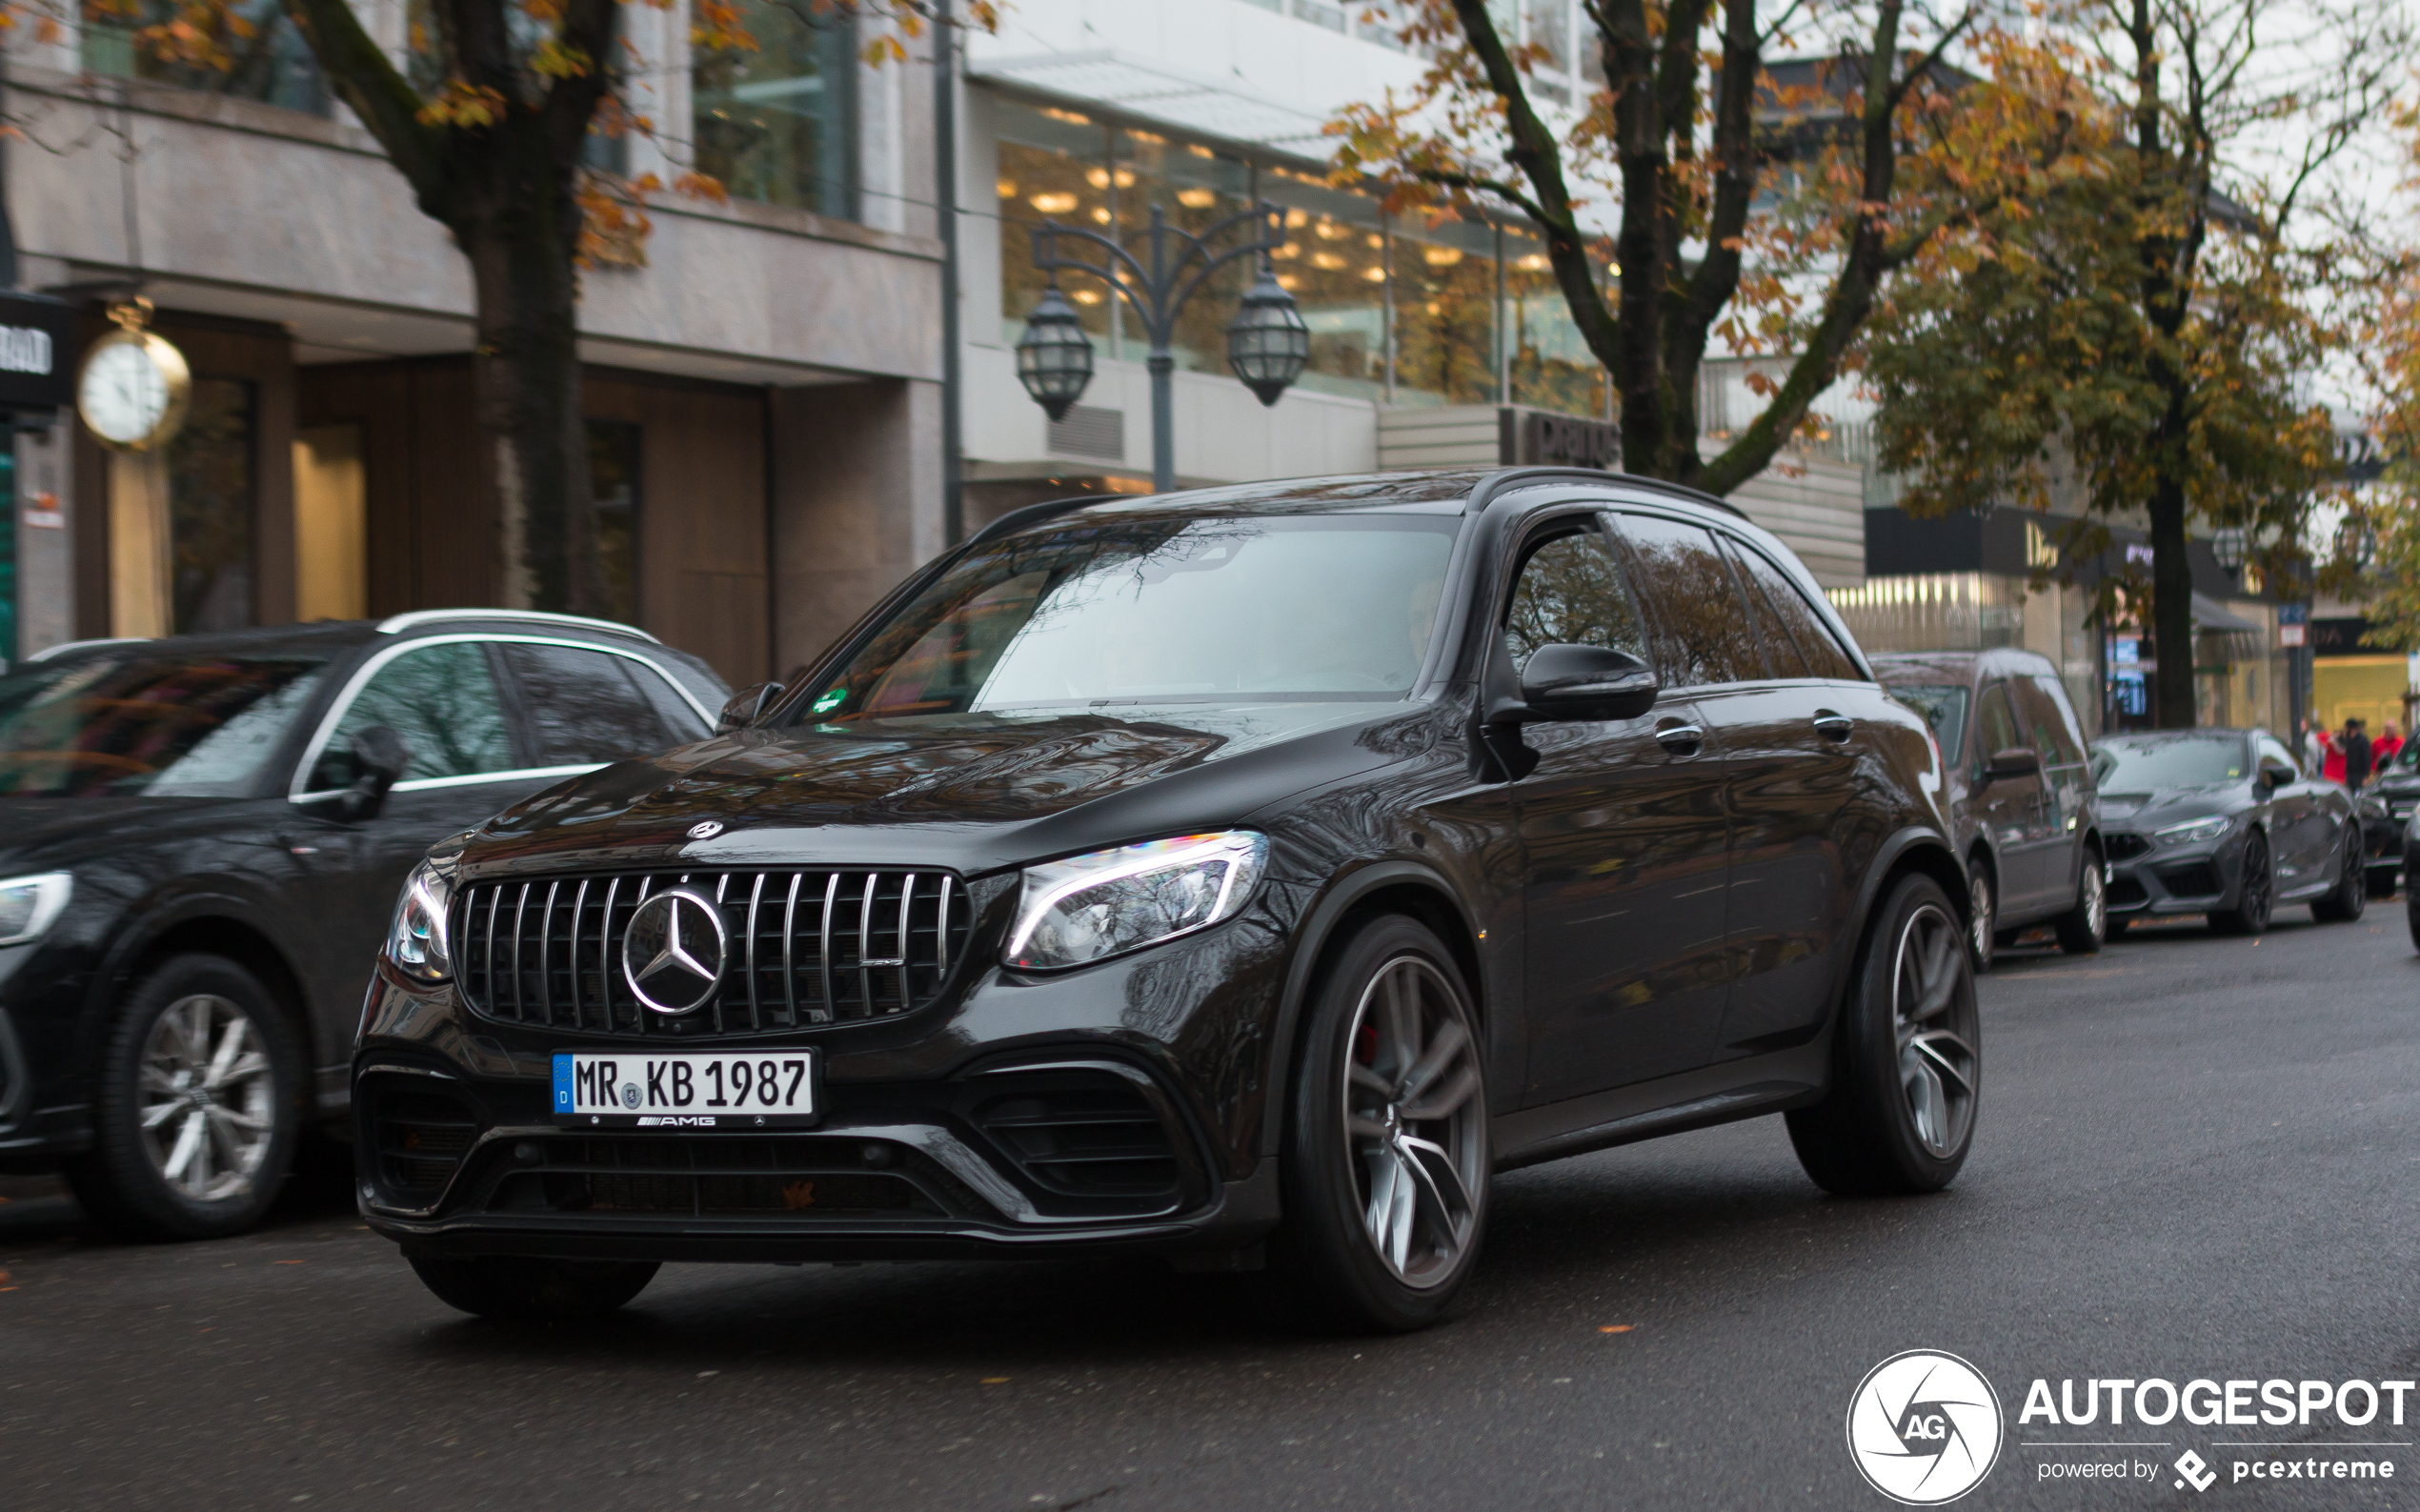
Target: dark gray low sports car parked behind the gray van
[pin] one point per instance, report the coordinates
(2223, 824)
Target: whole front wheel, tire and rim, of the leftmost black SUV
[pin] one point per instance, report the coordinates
(200, 1107)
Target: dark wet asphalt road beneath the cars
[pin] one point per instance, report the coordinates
(2199, 1158)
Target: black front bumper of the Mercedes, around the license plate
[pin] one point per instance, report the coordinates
(1114, 1107)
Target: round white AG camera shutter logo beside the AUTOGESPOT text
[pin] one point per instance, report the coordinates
(1925, 1429)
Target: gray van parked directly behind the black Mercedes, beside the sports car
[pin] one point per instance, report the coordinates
(2022, 792)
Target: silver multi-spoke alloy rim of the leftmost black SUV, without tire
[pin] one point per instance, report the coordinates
(209, 1100)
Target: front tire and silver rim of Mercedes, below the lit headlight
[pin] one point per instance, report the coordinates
(1388, 1138)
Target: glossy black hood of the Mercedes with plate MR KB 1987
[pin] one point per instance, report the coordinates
(972, 792)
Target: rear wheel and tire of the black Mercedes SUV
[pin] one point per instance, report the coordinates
(1906, 1058)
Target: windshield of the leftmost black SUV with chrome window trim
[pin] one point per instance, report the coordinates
(146, 725)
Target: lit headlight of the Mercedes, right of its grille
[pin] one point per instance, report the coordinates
(1107, 904)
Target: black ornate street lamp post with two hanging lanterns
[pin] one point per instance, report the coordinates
(1267, 342)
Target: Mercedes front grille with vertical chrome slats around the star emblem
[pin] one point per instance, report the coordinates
(802, 950)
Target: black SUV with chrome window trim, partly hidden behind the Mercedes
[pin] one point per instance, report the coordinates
(200, 850)
